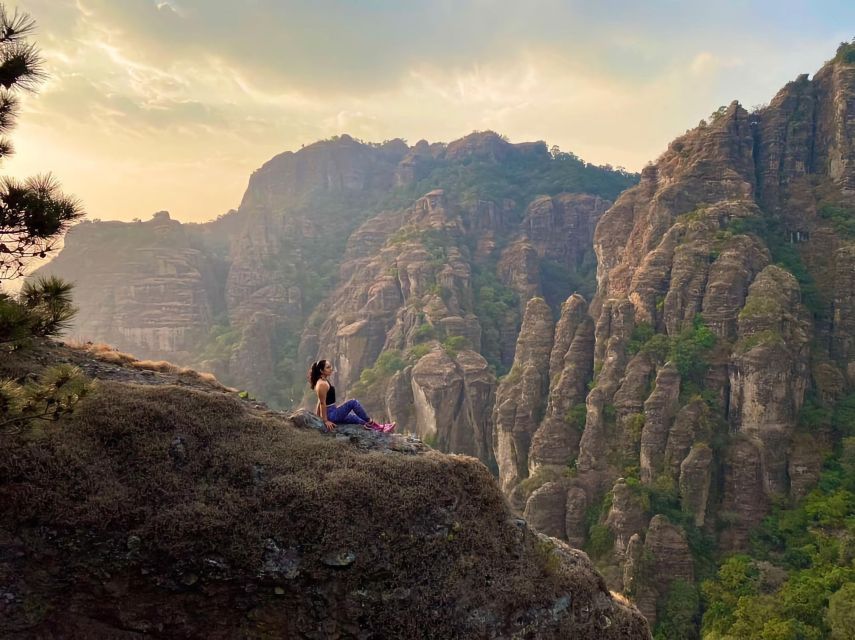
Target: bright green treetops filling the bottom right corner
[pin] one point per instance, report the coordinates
(810, 548)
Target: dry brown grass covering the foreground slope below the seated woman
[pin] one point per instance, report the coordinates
(194, 478)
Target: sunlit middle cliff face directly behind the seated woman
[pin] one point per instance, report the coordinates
(412, 289)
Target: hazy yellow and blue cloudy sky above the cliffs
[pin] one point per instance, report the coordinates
(171, 104)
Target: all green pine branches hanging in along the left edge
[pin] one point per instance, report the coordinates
(33, 215)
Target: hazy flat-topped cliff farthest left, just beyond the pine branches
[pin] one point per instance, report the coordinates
(151, 286)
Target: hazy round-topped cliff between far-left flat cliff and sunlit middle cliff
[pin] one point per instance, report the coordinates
(299, 209)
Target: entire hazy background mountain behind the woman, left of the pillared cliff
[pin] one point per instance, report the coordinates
(411, 265)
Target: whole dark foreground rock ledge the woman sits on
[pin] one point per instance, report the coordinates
(165, 506)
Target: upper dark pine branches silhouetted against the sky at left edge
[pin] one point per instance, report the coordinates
(33, 213)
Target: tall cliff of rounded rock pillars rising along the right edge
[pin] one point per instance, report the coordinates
(722, 310)
